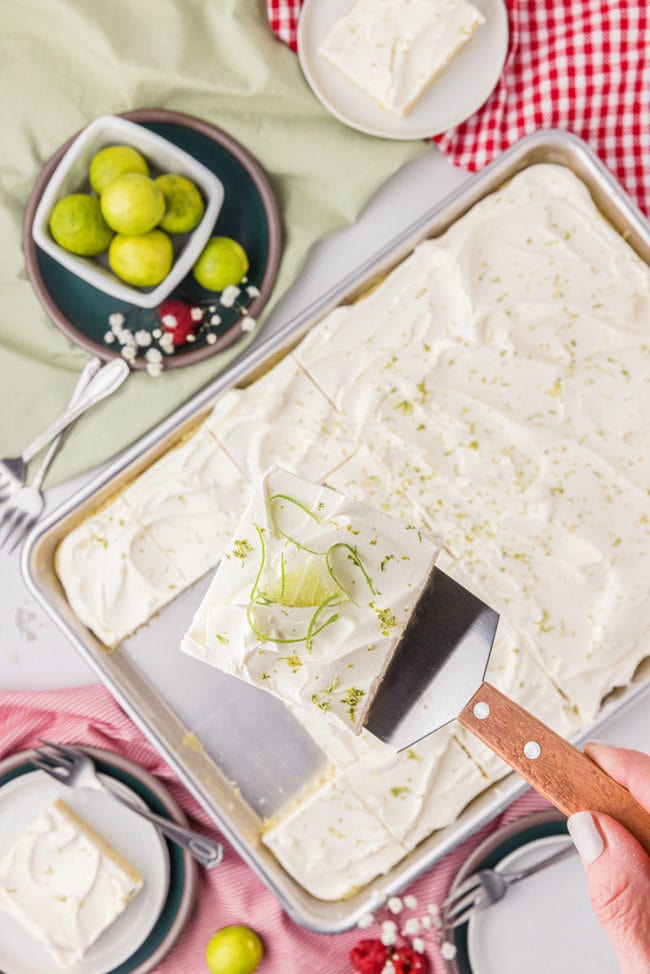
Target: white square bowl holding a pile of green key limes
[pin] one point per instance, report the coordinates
(71, 176)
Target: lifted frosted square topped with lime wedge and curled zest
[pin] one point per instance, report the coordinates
(370, 569)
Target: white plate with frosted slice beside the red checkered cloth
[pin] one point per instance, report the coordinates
(464, 85)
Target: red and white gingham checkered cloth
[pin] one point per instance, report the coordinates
(579, 65)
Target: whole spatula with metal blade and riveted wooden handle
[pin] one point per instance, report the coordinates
(437, 674)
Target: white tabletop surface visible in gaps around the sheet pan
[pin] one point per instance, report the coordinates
(34, 654)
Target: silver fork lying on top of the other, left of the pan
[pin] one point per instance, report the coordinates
(106, 381)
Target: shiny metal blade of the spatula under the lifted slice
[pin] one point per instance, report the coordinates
(439, 663)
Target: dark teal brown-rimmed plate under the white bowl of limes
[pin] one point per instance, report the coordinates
(249, 214)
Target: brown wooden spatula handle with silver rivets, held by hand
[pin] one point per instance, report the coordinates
(559, 771)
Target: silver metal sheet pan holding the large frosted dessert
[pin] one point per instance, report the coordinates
(206, 724)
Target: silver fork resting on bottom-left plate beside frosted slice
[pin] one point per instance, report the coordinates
(72, 766)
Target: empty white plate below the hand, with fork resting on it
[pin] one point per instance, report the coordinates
(545, 923)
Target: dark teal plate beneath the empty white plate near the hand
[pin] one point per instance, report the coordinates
(489, 854)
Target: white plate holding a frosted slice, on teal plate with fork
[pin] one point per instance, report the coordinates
(21, 801)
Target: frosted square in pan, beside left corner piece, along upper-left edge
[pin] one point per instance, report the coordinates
(189, 503)
